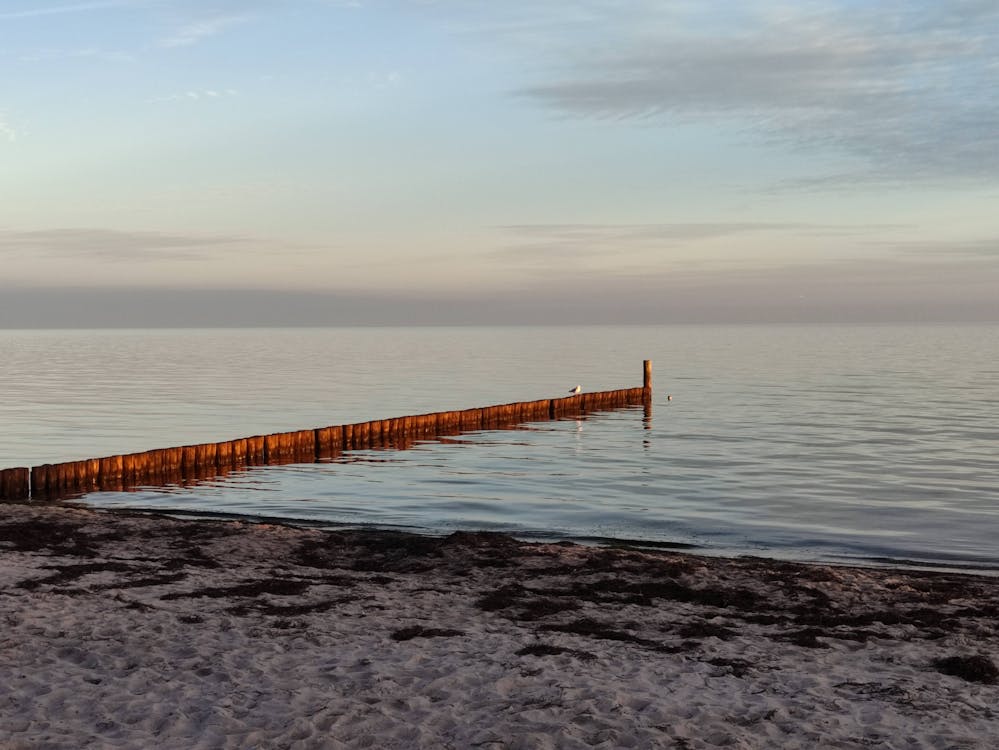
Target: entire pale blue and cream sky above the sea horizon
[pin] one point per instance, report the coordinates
(328, 162)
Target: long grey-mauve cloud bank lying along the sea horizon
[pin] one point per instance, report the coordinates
(827, 293)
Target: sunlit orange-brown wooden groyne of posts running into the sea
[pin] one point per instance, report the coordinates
(163, 466)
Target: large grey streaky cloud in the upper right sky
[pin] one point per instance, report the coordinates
(907, 90)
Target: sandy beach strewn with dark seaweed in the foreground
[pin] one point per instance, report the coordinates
(127, 631)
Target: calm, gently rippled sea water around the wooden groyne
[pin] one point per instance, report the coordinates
(870, 444)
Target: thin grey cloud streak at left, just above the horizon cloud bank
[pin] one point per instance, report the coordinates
(109, 245)
